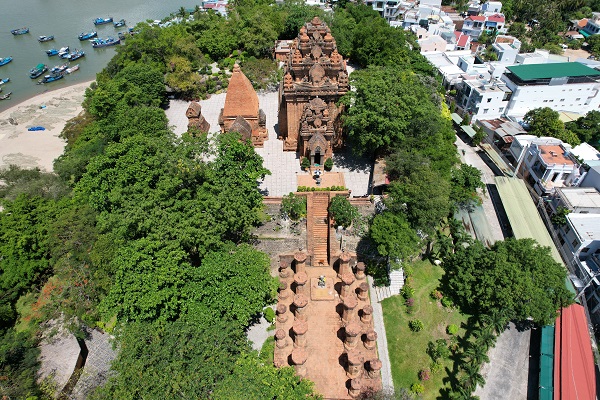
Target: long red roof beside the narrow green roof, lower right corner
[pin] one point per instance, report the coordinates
(574, 376)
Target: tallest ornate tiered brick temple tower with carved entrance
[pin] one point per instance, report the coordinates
(315, 78)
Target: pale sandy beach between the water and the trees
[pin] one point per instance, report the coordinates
(50, 110)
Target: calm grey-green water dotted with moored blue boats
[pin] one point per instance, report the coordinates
(65, 19)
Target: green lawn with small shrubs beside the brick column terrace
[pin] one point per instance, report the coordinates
(407, 349)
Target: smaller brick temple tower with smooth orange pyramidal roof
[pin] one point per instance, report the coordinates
(241, 112)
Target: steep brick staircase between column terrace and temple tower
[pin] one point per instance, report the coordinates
(319, 218)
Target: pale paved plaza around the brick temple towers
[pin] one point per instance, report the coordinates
(284, 166)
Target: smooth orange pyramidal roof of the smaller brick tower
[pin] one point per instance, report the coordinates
(241, 99)
